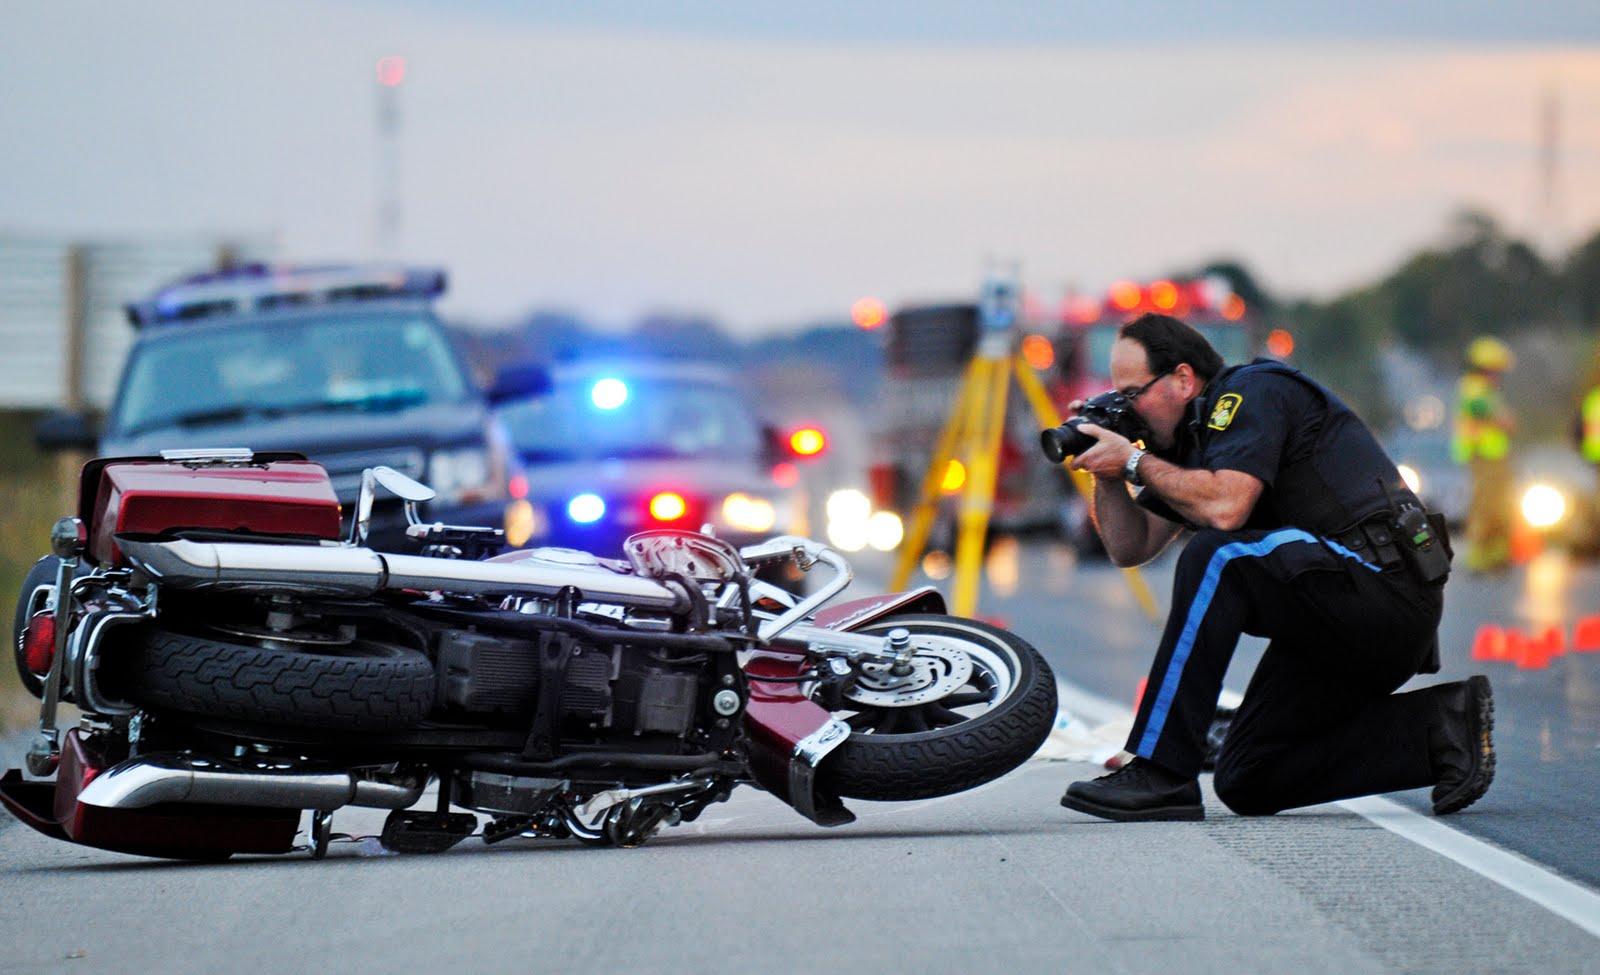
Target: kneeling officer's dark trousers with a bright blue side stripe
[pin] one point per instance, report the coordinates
(1321, 720)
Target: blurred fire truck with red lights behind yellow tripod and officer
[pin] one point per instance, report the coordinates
(929, 347)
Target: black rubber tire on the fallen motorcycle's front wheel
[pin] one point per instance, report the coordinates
(932, 764)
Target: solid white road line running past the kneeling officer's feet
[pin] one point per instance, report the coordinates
(1553, 893)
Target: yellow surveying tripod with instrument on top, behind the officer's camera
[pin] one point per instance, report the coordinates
(972, 436)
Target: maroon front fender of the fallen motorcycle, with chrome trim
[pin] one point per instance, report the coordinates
(790, 736)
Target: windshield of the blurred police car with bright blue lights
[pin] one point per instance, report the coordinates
(658, 419)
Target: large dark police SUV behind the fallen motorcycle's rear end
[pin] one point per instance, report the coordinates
(346, 366)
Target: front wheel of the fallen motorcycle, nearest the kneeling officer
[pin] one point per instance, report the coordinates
(990, 724)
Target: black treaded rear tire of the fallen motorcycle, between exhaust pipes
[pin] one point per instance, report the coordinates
(383, 691)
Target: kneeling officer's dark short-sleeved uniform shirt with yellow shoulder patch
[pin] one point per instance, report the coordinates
(1318, 462)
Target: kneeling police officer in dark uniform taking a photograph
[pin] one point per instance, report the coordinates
(1305, 534)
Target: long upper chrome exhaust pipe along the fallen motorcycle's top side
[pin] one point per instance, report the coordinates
(356, 572)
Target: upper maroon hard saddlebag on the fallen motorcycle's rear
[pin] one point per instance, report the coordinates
(270, 496)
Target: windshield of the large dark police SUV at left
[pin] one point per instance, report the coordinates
(346, 363)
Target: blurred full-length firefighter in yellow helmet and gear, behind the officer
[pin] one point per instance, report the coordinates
(1482, 443)
